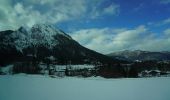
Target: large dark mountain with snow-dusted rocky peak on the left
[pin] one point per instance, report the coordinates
(42, 42)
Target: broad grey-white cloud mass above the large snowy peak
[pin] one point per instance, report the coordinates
(18, 12)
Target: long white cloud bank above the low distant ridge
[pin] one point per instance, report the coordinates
(107, 40)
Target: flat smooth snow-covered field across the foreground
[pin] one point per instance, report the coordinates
(36, 87)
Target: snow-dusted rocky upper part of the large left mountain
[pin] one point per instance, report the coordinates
(39, 34)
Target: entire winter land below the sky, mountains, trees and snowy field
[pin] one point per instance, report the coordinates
(44, 63)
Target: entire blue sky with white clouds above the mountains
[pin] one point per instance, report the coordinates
(102, 25)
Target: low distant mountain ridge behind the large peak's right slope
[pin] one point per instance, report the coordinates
(138, 55)
